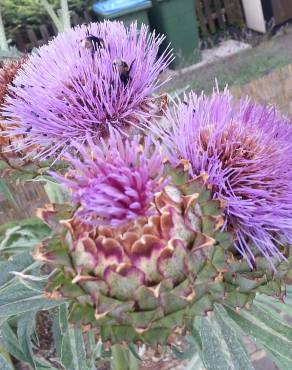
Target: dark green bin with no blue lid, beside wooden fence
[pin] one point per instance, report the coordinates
(176, 19)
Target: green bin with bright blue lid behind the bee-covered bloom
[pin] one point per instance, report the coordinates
(126, 11)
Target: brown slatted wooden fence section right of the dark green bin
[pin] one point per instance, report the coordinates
(214, 15)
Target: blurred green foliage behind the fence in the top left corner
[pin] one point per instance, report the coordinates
(19, 13)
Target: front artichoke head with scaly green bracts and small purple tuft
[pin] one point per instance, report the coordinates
(147, 278)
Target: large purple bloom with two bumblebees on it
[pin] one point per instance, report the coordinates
(73, 87)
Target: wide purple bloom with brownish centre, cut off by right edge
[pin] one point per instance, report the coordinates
(246, 151)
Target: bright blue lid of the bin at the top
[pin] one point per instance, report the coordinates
(112, 8)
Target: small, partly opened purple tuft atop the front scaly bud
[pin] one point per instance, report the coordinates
(115, 182)
